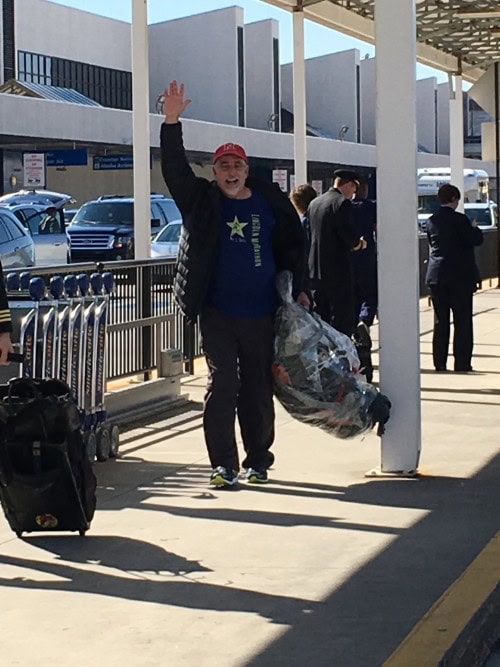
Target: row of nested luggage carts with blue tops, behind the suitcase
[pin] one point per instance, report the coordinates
(62, 335)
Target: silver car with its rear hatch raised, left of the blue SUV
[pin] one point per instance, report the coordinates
(46, 226)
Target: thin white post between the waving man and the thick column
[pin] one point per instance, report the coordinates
(299, 97)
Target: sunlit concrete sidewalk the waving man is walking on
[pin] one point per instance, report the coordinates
(322, 567)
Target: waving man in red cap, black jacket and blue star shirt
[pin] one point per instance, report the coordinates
(237, 233)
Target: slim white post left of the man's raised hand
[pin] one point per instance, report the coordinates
(141, 138)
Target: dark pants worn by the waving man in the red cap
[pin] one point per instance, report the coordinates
(239, 353)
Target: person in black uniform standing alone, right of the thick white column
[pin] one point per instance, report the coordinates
(452, 277)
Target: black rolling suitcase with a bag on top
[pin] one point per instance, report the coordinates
(47, 482)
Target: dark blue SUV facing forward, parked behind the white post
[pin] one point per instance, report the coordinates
(103, 229)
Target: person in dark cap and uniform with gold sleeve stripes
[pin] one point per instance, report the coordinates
(333, 239)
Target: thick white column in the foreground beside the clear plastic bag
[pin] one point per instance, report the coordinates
(398, 264)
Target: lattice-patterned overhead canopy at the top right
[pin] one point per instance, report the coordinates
(452, 35)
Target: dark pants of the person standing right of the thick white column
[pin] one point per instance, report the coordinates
(458, 300)
